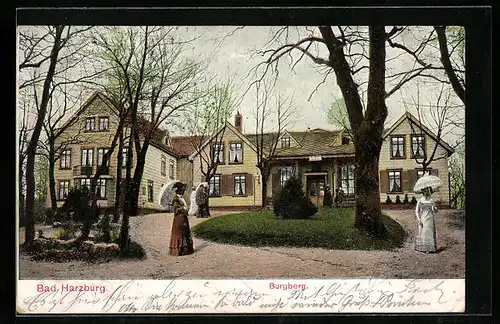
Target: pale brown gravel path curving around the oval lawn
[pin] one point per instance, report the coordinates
(213, 260)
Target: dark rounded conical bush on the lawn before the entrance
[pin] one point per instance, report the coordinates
(292, 203)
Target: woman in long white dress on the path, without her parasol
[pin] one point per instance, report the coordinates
(425, 240)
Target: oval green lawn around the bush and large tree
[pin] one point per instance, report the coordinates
(330, 228)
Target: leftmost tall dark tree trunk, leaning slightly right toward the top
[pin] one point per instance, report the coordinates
(33, 143)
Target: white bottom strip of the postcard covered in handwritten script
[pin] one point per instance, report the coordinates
(245, 296)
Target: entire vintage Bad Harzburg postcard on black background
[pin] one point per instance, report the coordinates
(240, 169)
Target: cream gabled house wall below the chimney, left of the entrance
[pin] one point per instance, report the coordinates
(248, 167)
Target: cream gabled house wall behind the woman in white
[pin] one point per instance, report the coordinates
(408, 163)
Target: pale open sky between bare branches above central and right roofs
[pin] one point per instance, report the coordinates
(231, 51)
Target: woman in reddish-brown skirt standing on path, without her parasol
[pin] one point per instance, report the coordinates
(181, 242)
